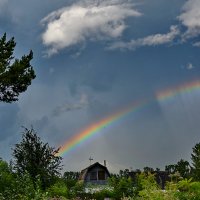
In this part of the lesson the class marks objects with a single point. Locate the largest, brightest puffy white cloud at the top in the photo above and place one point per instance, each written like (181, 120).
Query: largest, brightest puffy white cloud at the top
(103, 19)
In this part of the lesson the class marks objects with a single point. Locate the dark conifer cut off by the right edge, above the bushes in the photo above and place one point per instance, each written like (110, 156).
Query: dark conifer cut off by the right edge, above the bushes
(195, 157)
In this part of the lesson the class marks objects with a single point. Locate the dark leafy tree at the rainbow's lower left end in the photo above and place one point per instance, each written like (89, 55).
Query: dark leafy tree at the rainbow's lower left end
(36, 158)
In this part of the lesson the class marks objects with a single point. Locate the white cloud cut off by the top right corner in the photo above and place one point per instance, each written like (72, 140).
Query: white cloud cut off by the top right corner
(190, 18)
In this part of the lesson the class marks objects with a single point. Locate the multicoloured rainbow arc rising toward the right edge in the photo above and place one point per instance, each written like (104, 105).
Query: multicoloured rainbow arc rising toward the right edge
(96, 127)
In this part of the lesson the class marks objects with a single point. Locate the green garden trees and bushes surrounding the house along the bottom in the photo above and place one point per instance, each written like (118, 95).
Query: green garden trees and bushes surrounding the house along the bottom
(34, 173)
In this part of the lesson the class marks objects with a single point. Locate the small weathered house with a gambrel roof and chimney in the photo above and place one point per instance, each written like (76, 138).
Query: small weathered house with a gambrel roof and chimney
(95, 174)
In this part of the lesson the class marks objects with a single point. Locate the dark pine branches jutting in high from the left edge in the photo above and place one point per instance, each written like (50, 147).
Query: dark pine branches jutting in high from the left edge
(15, 75)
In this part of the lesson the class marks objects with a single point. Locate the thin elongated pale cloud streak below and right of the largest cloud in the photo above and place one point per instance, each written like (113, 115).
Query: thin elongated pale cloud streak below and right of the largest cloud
(152, 40)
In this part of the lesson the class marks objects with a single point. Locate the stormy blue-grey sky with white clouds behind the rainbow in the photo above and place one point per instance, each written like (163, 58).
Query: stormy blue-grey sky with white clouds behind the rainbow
(94, 58)
